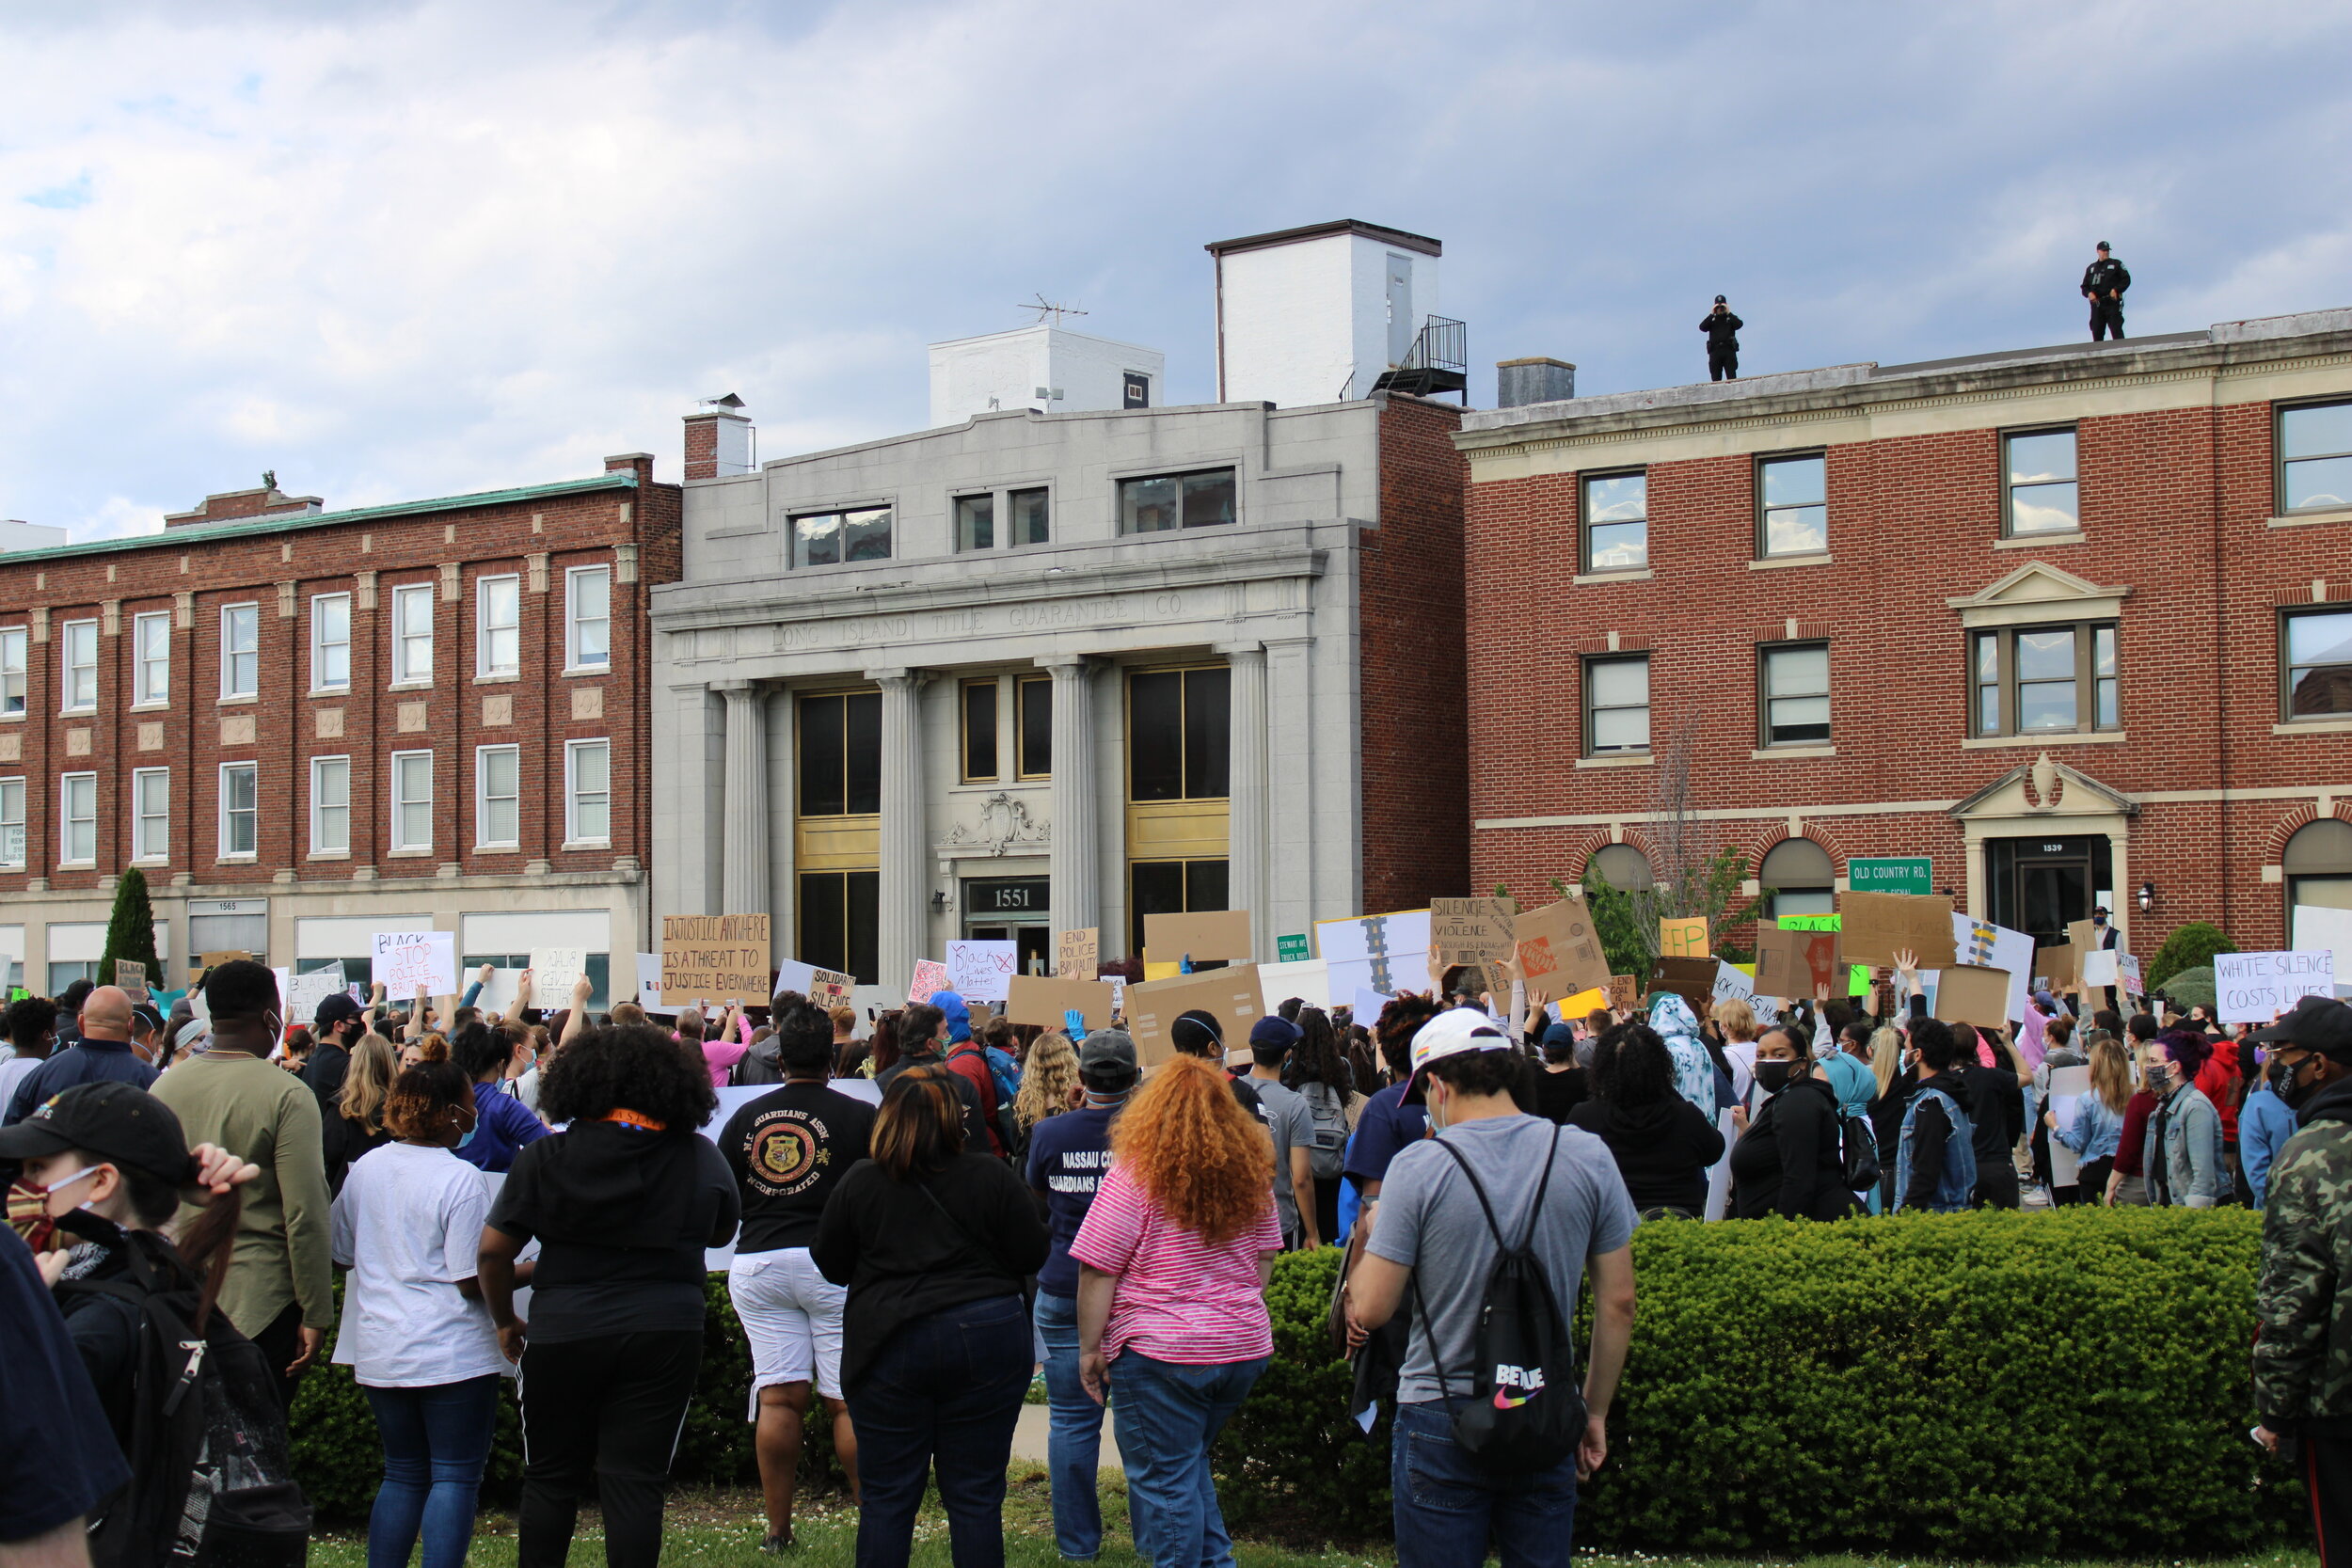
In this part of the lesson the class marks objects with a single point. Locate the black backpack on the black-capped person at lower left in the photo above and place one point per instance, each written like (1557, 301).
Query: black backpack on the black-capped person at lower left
(213, 1480)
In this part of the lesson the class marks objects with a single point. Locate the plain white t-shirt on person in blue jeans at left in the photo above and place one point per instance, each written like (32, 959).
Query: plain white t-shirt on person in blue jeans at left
(408, 1226)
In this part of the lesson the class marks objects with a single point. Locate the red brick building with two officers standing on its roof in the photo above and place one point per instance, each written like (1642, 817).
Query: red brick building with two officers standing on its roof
(2071, 622)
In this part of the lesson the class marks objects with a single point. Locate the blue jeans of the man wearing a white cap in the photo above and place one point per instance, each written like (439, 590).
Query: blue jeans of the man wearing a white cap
(1448, 1503)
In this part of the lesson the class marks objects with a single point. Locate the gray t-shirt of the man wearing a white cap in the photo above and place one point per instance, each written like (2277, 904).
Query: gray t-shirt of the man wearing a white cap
(1431, 1224)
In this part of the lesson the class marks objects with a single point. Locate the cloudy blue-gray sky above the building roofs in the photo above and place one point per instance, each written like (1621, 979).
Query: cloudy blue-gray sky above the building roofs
(415, 250)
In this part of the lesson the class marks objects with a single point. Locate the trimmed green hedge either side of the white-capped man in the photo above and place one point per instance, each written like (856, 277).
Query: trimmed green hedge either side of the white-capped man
(1979, 1386)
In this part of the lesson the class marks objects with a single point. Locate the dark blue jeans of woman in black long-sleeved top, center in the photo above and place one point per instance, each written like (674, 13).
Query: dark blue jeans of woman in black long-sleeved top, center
(944, 1395)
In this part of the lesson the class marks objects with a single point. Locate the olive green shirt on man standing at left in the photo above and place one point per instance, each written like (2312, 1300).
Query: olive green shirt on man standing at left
(267, 1115)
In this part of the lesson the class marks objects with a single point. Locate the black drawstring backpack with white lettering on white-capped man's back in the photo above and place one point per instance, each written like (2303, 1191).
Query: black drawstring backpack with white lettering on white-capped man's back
(1528, 1409)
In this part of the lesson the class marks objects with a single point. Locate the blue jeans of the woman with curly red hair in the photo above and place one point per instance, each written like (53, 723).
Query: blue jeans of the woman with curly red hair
(1168, 1416)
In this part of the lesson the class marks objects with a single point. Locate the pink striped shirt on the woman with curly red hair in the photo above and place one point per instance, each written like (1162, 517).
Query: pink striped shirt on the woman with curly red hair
(1180, 1299)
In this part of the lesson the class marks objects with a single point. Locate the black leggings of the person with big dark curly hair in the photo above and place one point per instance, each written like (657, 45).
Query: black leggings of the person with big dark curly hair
(608, 1407)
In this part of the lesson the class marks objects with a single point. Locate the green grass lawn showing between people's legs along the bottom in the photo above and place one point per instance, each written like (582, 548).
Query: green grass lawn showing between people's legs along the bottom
(721, 1529)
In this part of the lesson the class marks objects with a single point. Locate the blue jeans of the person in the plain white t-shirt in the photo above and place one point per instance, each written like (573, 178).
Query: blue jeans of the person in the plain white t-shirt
(436, 1442)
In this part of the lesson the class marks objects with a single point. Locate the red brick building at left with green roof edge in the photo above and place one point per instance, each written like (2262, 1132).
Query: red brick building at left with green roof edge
(307, 728)
